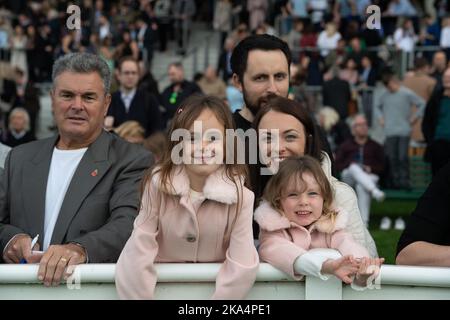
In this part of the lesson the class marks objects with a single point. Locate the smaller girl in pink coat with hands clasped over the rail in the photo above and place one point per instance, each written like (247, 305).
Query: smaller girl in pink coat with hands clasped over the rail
(297, 215)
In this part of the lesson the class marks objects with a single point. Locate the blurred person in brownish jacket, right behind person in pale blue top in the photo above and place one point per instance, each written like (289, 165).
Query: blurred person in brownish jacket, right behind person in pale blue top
(423, 85)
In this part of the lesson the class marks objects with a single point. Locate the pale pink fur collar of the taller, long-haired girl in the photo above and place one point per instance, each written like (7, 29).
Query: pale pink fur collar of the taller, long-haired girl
(218, 186)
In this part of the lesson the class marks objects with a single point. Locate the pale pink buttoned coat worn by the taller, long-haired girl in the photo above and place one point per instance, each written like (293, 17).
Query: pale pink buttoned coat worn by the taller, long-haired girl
(168, 229)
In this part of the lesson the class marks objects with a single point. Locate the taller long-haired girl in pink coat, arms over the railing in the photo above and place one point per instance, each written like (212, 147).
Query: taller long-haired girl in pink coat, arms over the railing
(194, 208)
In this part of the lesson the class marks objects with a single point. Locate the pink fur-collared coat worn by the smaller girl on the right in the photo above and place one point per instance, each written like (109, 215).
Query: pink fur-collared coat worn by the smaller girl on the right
(282, 242)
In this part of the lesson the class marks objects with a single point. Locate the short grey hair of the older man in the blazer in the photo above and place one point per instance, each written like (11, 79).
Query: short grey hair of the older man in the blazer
(82, 62)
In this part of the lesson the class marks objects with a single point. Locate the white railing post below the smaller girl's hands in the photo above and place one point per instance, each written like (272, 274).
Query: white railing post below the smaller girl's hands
(318, 289)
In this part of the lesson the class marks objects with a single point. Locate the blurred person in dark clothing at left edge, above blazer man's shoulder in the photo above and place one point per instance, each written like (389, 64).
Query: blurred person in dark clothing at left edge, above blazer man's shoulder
(18, 128)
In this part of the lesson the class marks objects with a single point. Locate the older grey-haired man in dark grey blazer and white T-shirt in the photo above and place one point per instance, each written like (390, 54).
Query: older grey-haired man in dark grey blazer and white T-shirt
(78, 190)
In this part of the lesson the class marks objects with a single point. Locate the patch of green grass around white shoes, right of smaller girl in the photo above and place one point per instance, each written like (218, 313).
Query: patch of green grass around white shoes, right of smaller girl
(387, 240)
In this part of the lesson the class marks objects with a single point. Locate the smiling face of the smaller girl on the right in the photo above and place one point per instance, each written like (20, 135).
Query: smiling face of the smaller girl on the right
(302, 201)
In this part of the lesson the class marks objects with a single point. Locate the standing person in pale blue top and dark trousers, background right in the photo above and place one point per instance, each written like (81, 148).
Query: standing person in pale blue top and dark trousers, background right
(394, 113)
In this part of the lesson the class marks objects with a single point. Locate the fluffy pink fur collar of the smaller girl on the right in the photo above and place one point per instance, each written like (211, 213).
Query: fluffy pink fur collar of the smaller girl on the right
(270, 219)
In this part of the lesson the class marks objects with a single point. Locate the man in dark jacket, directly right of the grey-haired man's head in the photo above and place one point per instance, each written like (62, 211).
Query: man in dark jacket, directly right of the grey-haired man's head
(131, 103)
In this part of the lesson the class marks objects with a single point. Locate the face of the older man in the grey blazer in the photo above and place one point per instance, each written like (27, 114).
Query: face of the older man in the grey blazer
(79, 105)
